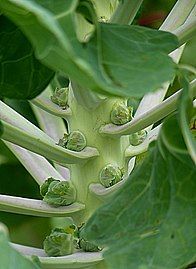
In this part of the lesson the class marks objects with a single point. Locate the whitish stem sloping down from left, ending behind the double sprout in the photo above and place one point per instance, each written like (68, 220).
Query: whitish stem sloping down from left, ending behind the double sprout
(39, 168)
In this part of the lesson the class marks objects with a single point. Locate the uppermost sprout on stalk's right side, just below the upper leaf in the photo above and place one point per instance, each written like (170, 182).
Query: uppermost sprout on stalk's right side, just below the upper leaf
(121, 114)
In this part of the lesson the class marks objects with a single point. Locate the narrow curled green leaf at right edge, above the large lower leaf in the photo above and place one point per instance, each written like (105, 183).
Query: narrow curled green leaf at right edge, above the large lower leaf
(188, 120)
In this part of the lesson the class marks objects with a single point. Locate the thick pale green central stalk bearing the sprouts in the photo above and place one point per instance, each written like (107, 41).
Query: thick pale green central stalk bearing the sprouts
(111, 150)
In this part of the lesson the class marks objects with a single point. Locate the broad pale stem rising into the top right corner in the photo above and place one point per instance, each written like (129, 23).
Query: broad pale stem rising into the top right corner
(178, 15)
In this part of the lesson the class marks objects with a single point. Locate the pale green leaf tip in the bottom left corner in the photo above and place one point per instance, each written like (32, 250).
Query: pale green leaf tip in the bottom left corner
(10, 258)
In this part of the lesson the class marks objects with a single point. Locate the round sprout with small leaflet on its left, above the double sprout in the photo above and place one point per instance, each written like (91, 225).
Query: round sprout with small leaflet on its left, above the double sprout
(75, 141)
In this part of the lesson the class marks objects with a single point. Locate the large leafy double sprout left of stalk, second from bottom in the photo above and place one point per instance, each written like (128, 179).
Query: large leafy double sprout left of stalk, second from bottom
(58, 193)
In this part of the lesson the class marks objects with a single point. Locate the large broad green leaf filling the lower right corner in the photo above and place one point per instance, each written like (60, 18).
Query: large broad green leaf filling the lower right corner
(150, 223)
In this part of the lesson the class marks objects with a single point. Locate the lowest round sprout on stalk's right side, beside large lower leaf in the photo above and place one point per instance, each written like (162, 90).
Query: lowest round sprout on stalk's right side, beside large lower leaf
(110, 175)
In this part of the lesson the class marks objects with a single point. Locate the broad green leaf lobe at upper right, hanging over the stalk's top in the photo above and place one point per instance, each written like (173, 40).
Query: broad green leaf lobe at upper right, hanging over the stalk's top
(132, 57)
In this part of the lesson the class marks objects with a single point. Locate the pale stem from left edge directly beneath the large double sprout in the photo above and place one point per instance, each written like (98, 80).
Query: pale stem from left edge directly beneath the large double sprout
(26, 206)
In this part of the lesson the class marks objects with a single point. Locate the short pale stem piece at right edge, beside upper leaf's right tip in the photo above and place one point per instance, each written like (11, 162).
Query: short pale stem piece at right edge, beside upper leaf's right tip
(186, 31)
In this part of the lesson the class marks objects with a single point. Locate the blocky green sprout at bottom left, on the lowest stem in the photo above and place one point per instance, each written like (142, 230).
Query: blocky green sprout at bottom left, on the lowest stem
(59, 243)
